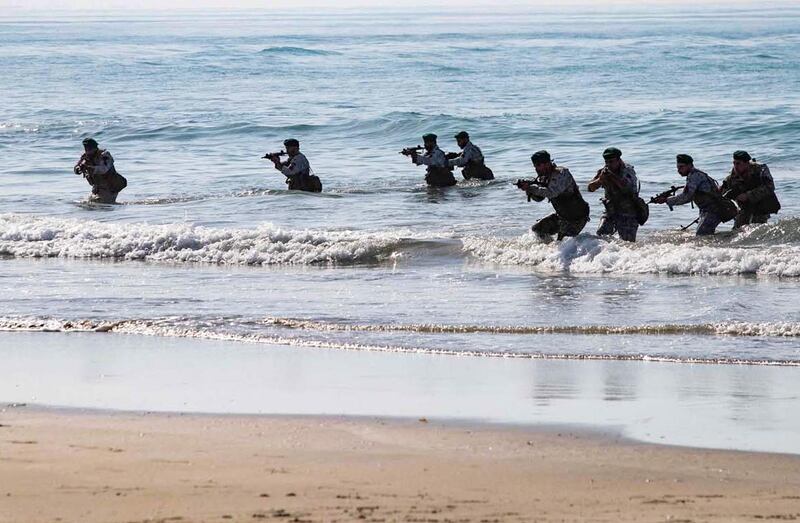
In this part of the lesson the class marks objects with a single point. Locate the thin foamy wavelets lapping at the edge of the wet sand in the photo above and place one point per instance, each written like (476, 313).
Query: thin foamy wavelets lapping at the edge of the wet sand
(230, 330)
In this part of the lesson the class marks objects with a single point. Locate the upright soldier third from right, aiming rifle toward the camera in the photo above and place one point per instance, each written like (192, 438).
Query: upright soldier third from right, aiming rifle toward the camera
(621, 186)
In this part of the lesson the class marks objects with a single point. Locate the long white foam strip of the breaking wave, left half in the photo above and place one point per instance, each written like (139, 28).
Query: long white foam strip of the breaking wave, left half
(26, 236)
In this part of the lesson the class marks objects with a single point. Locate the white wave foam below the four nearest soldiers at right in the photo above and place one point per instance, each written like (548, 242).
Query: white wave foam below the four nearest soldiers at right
(589, 254)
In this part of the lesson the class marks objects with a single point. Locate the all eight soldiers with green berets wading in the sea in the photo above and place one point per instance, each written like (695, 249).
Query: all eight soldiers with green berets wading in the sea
(747, 195)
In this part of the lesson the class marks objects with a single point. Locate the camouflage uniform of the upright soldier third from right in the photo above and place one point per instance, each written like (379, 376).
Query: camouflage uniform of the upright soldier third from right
(620, 215)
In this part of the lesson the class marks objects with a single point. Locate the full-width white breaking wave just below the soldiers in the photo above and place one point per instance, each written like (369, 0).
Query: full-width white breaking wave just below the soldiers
(769, 250)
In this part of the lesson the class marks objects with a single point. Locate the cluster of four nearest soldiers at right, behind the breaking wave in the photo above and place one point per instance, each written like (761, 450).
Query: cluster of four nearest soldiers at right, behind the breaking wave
(747, 195)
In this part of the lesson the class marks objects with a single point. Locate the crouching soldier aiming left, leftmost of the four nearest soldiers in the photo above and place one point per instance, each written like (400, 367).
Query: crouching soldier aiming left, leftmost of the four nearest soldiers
(556, 184)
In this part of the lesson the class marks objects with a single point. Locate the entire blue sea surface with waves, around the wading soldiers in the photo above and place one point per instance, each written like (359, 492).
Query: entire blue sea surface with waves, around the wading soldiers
(207, 243)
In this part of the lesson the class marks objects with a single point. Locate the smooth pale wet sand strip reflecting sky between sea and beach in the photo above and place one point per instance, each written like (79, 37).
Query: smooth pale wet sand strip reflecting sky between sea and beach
(742, 407)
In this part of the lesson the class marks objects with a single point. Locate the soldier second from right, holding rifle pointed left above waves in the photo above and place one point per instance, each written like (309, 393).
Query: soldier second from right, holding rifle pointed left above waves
(702, 190)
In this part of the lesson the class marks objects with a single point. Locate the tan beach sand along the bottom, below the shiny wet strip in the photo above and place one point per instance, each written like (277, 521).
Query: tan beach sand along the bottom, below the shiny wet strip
(92, 466)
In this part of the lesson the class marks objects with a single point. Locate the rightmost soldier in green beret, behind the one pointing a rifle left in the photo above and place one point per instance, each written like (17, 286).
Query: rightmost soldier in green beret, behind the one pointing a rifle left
(750, 184)
